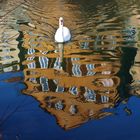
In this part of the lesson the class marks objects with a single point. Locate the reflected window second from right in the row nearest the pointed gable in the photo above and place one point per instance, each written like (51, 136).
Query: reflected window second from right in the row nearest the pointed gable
(90, 95)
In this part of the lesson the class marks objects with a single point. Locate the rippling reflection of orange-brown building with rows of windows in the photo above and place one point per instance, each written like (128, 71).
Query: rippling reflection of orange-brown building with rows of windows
(74, 87)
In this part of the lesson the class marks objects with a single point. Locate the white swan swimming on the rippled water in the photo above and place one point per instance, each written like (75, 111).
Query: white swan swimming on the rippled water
(63, 33)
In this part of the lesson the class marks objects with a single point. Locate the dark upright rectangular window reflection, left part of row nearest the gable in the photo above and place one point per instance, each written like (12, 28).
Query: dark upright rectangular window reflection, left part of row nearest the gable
(44, 84)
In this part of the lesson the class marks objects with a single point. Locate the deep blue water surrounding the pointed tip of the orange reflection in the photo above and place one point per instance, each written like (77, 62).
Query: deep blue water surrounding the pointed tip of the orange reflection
(23, 119)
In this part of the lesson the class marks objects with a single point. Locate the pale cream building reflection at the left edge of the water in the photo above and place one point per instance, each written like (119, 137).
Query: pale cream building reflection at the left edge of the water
(9, 50)
